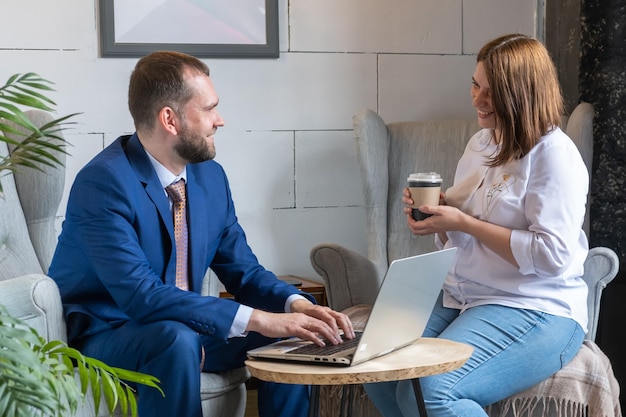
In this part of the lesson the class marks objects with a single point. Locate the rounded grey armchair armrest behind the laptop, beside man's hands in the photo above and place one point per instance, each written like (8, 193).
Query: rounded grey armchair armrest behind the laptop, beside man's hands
(350, 277)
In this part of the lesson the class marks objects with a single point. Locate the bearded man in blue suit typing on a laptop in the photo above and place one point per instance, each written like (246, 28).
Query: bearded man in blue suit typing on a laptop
(115, 263)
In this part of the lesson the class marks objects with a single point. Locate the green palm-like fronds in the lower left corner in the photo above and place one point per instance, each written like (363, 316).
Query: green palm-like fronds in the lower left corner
(39, 378)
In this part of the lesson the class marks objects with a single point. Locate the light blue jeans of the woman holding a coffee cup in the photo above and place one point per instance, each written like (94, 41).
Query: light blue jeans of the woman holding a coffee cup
(514, 349)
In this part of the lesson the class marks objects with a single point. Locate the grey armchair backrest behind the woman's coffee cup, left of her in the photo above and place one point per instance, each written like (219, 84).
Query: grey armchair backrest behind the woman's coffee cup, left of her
(387, 154)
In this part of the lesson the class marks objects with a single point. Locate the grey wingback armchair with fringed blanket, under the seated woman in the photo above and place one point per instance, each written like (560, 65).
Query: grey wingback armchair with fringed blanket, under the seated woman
(387, 153)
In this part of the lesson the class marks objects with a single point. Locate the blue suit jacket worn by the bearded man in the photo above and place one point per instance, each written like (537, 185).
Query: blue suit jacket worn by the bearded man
(115, 259)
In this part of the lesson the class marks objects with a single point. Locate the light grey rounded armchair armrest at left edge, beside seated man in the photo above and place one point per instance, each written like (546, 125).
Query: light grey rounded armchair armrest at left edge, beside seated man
(35, 299)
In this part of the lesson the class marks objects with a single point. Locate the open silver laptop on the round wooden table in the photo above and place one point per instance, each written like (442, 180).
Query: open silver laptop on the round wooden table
(403, 305)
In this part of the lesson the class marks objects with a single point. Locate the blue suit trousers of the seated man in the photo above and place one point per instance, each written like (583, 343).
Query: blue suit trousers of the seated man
(172, 352)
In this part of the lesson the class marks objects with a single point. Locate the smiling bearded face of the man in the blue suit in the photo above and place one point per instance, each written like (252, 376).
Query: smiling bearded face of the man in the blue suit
(200, 120)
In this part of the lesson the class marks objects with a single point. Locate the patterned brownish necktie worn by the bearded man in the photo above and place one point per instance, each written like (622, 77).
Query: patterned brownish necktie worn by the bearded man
(176, 191)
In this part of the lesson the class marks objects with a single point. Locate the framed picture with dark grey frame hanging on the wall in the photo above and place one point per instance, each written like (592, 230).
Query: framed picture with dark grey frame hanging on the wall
(203, 28)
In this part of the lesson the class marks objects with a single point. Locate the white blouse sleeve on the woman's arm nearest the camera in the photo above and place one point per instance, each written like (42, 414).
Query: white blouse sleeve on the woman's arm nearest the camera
(555, 208)
